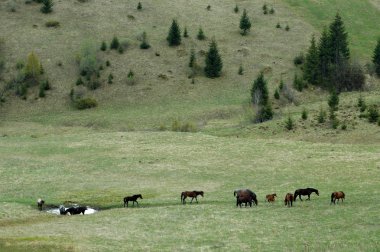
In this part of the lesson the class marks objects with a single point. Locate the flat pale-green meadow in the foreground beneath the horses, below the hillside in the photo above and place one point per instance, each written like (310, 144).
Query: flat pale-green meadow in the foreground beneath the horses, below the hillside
(98, 169)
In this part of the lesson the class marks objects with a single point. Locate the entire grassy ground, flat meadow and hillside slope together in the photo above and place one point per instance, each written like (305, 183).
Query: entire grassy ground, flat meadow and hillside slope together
(127, 144)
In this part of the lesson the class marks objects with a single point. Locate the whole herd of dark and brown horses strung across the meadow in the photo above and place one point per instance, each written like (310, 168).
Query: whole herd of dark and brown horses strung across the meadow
(243, 196)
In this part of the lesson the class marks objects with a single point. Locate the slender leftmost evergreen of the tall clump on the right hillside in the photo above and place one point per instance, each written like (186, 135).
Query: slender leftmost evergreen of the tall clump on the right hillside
(310, 69)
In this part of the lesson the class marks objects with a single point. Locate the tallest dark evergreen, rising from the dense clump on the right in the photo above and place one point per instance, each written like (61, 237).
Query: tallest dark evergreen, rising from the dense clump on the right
(338, 41)
